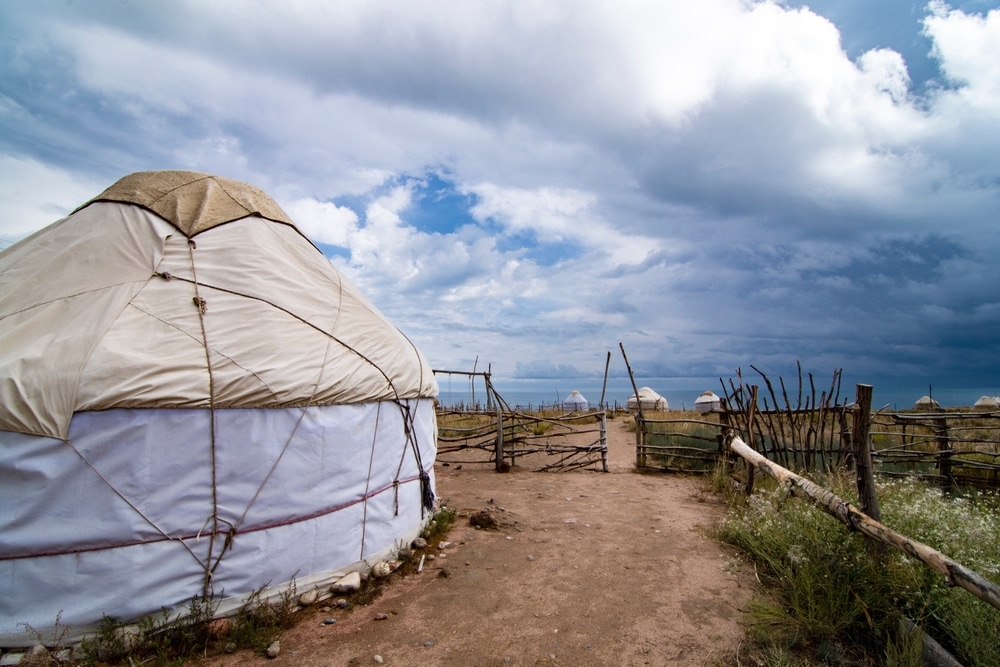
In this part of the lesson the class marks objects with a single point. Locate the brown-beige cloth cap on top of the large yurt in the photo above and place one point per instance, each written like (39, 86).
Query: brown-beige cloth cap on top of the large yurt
(192, 201)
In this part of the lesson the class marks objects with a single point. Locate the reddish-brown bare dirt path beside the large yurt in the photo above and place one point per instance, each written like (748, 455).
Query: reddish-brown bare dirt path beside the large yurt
(588, 568)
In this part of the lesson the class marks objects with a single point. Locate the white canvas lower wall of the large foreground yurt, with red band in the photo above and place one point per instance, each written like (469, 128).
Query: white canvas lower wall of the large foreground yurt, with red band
(117, 520)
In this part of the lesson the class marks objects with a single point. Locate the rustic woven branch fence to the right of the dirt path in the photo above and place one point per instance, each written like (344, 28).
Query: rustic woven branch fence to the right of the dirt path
(951, 449)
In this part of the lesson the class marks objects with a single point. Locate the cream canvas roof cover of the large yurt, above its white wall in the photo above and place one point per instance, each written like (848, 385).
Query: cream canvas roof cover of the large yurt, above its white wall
(112, 307)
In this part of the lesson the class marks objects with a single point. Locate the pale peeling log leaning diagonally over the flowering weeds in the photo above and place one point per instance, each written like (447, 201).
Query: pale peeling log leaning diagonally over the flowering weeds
(954, 573)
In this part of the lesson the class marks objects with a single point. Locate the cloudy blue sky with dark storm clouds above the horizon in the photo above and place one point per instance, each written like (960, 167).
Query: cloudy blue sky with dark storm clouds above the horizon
(526, 185)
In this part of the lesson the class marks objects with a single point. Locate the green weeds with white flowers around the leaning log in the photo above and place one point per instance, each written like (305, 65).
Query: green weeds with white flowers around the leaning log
(827, 600)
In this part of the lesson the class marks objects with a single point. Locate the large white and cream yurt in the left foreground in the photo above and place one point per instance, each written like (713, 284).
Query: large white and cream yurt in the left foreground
(194, 401)
